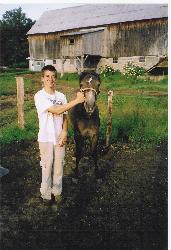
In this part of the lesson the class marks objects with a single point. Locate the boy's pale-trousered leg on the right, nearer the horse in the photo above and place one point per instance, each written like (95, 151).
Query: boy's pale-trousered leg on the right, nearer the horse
(59, 154)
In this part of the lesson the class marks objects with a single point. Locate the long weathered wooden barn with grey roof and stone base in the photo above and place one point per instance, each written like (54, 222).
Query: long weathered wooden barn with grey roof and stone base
(91, 36)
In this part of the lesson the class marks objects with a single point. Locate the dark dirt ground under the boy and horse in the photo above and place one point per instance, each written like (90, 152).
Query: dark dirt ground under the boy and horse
(126, 210)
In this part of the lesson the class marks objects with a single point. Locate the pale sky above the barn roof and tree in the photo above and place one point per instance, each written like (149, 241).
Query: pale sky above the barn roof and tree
(35, 8)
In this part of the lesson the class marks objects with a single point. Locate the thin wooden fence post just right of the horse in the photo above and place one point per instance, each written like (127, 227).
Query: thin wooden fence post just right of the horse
(109, 122)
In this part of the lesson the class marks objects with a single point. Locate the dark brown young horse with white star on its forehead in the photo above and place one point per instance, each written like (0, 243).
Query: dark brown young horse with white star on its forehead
(85, 117)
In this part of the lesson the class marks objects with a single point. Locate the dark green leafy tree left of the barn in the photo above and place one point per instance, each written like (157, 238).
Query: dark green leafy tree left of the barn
(13, 40)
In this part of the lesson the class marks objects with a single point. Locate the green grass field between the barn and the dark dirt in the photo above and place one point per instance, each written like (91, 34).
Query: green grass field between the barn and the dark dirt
(140, 120)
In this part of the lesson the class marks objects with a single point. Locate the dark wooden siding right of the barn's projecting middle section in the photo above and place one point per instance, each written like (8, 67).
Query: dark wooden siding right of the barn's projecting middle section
(137, 38)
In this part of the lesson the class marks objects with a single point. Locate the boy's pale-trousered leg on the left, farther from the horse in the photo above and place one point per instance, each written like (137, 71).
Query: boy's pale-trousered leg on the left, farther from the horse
(46, 154)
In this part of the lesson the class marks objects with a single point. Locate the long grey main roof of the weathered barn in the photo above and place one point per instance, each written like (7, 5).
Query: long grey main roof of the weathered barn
(92, 15)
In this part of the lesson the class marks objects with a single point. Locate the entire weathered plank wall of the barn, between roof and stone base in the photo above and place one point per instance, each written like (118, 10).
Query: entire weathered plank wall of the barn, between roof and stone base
(139, 38)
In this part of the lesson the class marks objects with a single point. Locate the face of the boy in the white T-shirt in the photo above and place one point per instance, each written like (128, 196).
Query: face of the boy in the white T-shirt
(49, 79)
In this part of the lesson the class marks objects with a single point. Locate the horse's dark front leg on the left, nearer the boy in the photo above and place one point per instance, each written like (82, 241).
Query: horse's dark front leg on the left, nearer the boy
(79, 141)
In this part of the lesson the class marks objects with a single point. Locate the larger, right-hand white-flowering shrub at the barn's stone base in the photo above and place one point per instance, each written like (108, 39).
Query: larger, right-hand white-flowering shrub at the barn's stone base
(133, 71)
